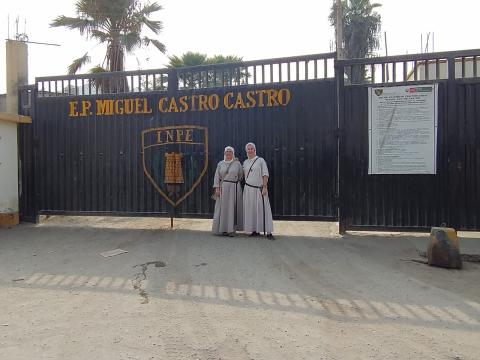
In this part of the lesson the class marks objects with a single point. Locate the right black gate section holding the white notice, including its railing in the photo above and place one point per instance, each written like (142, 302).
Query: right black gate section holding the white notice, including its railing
(452, 196)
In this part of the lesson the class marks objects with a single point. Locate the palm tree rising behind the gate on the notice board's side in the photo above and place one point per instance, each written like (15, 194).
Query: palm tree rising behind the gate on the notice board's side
(361, 29)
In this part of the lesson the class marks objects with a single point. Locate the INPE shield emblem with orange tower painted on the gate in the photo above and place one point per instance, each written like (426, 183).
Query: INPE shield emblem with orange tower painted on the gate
(175, 159)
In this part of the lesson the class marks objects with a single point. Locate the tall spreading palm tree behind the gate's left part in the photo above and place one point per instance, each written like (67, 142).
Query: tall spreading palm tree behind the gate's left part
(116, 23)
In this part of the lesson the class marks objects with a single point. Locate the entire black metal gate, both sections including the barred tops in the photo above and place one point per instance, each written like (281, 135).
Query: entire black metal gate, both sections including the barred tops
(87, 151)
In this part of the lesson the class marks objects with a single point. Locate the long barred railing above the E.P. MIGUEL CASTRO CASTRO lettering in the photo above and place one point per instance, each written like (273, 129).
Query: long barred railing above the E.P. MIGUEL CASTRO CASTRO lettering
(288, 69)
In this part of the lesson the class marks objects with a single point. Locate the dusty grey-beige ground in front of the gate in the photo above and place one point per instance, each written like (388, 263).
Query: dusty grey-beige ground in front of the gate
(187, 294)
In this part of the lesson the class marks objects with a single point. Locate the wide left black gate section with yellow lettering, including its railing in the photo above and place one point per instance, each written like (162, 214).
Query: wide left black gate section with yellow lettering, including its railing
(93, 135)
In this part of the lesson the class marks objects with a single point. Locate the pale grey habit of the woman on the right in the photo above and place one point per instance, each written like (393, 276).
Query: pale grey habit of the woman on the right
(253, 205)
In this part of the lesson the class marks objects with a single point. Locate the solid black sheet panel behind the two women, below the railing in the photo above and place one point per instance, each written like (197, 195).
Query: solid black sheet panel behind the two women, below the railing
(93, 164)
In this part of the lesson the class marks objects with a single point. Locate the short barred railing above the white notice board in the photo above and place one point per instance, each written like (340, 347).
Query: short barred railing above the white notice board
(408, 68)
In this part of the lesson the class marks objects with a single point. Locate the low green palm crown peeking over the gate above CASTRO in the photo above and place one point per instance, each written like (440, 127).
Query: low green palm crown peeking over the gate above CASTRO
(228, 76)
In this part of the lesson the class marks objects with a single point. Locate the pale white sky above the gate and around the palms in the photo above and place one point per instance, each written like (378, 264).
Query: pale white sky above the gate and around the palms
(252, 29)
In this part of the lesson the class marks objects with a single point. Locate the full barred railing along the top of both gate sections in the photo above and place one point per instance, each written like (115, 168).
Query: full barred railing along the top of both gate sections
(377, 70)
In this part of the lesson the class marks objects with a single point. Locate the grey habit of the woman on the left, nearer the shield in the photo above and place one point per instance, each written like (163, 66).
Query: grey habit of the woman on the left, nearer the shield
(224, 215)
